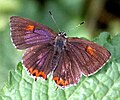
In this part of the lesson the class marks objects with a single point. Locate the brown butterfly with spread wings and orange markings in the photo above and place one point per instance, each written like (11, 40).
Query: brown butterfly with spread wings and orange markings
(48, 52)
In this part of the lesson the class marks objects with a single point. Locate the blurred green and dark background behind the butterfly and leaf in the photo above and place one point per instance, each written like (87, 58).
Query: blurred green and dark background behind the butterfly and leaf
(99, 16)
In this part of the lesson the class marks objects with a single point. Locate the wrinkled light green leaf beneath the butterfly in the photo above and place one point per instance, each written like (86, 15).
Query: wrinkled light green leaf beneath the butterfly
(104, 85)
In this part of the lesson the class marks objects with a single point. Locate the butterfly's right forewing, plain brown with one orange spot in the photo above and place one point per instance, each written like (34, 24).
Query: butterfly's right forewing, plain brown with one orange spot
(90, 56)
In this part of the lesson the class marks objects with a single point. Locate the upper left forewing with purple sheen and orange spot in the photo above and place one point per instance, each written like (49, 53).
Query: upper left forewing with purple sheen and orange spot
(26, 33)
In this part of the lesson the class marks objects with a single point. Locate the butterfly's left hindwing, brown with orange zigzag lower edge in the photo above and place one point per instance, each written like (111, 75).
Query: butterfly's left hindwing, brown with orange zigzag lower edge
(37, 60)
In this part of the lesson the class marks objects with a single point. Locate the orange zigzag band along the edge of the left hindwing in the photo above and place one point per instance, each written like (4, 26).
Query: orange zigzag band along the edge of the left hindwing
(36, 73)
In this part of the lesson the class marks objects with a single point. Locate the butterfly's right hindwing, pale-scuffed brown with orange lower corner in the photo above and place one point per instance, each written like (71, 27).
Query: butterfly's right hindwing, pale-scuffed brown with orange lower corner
(68, 71)
